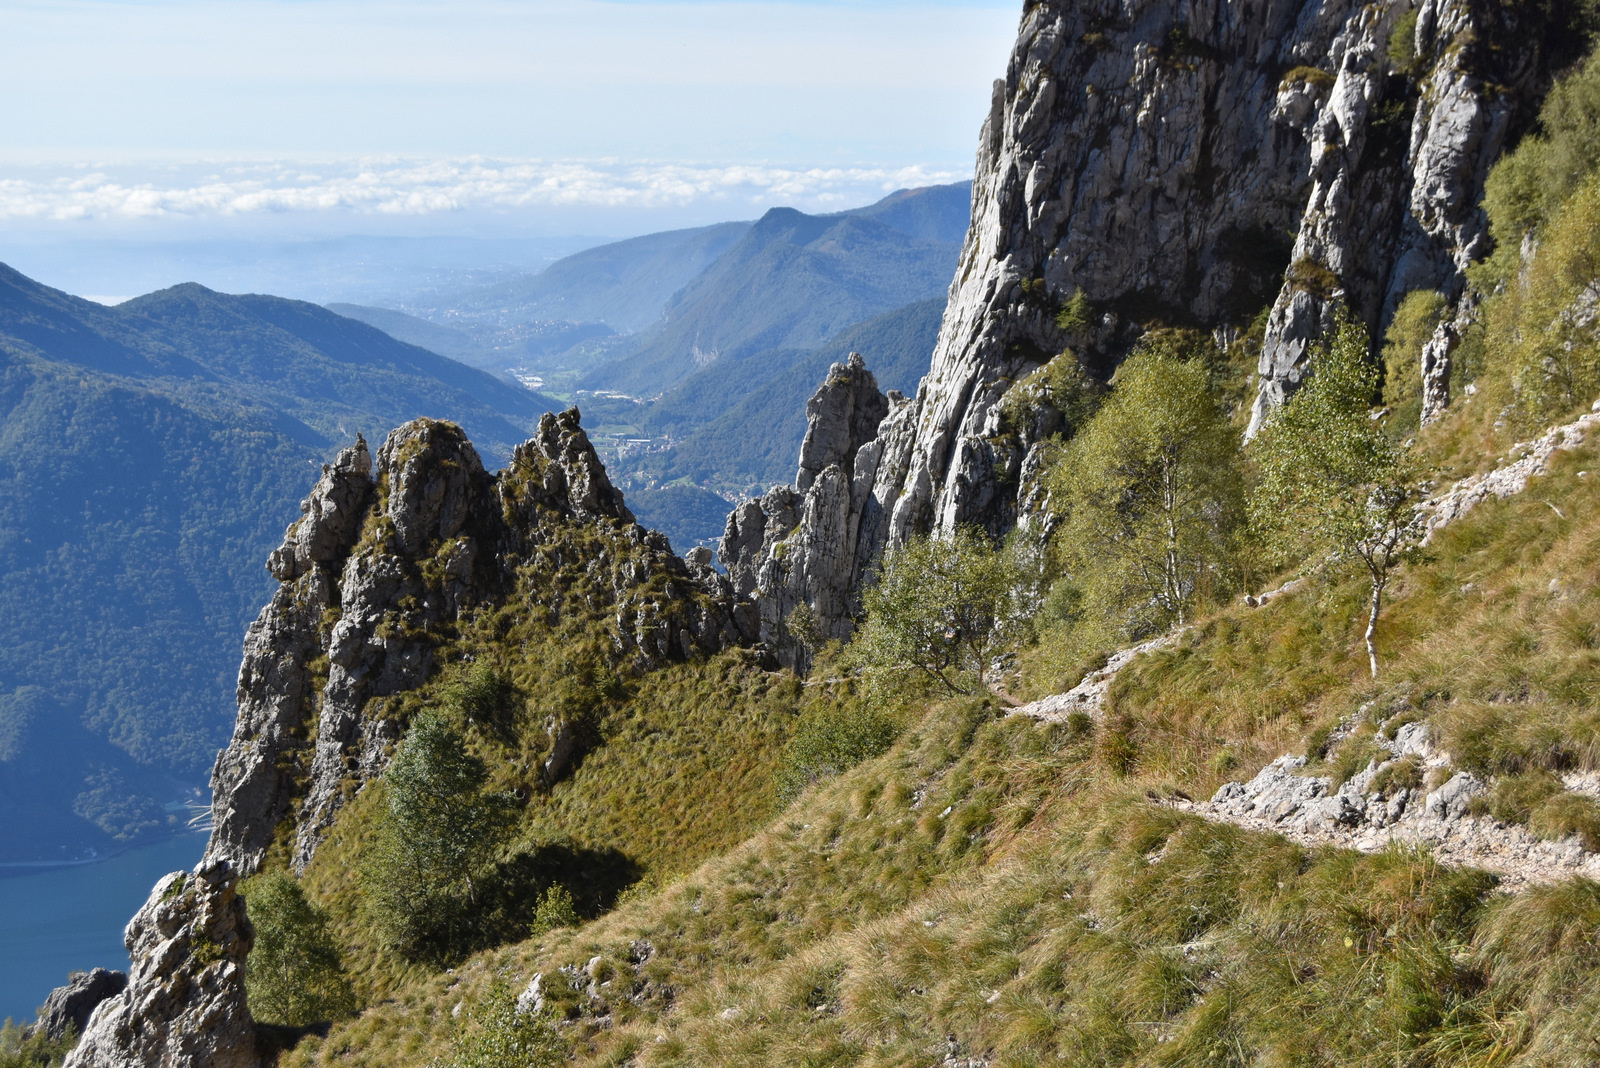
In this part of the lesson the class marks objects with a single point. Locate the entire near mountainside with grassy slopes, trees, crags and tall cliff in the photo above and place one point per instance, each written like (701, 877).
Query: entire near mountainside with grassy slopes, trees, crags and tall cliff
(1199, 669)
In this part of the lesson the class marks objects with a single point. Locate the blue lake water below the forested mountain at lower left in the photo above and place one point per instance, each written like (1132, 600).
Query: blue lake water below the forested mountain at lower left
(62, 920)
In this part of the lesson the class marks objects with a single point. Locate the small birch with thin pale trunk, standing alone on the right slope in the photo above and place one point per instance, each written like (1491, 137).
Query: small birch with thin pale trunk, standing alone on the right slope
(1334, 488)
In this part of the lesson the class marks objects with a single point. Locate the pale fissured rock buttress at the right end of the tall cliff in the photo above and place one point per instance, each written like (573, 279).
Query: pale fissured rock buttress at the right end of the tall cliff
(1398, 173)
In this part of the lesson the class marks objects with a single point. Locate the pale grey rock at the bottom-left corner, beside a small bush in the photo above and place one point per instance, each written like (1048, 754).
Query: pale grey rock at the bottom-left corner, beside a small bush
(185, 1000)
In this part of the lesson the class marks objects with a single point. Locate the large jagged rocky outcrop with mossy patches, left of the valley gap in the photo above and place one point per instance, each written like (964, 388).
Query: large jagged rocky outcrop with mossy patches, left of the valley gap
(374, 578)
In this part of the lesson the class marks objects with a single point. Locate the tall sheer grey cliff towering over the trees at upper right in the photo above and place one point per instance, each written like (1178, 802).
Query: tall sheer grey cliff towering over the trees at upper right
(1150, 162)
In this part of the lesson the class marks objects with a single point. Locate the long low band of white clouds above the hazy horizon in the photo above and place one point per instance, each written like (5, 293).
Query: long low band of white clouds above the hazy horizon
(398, 188)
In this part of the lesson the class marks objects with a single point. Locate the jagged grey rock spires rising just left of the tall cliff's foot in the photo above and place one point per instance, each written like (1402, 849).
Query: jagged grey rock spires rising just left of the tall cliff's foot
(798, 546)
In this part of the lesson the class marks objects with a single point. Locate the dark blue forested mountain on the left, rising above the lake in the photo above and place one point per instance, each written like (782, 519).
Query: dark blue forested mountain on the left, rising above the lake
(151, 455)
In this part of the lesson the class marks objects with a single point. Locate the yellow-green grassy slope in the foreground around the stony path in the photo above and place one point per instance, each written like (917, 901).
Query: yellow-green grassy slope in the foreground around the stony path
(993, 888)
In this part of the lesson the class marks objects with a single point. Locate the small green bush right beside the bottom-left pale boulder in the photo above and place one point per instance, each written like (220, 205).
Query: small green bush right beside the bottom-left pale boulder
(297, 974)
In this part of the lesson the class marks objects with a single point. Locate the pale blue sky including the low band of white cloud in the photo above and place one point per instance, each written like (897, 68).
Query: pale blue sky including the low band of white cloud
(428, 116)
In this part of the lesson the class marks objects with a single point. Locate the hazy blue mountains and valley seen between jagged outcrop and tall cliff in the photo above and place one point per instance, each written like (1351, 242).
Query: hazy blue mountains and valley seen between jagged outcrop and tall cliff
(732, 330)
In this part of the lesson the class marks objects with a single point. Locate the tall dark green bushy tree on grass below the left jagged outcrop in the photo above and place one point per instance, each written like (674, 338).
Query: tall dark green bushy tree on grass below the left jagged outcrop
(436, 842)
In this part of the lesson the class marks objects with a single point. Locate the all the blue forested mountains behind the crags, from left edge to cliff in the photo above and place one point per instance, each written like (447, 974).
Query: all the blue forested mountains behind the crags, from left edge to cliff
(153, 453)
